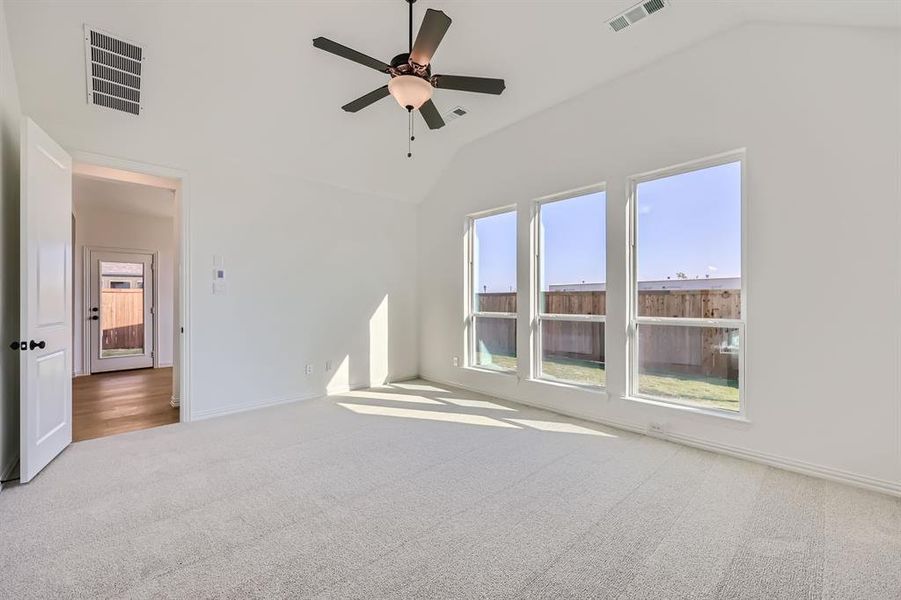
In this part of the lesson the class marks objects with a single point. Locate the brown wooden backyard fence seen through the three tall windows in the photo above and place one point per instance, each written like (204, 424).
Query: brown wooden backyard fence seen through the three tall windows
(696, 351)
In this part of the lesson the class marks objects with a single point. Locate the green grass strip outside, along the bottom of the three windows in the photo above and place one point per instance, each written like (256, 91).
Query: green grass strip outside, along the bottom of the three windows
(706, 392)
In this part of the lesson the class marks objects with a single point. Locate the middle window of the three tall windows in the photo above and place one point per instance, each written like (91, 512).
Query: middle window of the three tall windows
(572, 274)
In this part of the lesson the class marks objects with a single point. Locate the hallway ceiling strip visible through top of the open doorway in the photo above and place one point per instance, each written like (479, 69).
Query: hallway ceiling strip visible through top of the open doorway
(104, 195)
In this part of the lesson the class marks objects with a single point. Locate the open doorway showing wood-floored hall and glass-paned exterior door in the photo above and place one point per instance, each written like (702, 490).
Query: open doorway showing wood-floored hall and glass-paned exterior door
(124, 303)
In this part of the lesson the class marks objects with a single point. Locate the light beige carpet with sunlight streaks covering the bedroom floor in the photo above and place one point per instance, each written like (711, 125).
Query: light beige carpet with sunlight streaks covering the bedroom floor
(422, 492)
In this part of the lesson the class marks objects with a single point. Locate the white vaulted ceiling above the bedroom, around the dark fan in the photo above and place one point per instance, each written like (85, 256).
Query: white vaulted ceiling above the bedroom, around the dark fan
(241, 81)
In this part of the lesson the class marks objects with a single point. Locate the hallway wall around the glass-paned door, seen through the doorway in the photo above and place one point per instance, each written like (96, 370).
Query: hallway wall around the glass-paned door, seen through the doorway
(115, 230)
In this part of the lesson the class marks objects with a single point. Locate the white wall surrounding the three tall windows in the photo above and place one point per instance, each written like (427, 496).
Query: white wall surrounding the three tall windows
(818, 110)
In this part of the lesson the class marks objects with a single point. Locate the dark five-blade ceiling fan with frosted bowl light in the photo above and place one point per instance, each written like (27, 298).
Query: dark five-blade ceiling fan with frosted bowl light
(412, 81)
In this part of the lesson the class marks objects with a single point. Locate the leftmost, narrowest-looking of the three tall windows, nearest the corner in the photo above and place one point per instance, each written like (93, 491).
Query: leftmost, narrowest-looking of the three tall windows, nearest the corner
(492, 297)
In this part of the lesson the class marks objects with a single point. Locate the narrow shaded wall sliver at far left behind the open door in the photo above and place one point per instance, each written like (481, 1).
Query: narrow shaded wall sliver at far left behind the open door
(10, 115)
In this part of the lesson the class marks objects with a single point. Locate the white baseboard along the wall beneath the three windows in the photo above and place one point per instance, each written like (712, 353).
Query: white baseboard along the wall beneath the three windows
(788, 464)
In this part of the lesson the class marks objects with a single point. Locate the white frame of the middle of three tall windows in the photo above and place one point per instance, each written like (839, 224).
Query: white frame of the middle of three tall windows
(536, 287)
